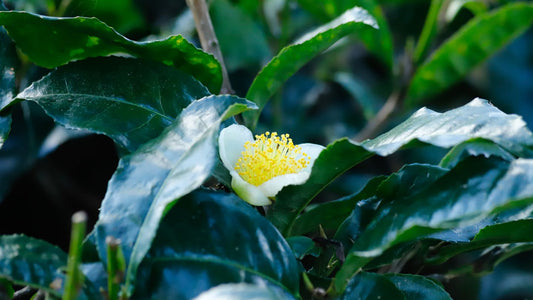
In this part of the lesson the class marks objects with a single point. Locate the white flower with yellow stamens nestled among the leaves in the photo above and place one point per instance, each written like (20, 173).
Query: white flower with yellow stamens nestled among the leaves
(260, 168)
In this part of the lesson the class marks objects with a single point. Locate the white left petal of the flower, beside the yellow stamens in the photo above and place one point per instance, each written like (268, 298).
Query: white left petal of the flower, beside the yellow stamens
(231, 144)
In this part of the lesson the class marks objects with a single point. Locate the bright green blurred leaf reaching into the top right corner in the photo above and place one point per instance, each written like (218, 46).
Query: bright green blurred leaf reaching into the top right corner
(483, 36)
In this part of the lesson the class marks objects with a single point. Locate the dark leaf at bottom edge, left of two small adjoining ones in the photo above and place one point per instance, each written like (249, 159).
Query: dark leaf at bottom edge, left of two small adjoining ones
(367, 286)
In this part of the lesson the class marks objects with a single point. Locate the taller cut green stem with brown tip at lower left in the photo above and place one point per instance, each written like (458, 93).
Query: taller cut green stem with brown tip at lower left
(74, 279)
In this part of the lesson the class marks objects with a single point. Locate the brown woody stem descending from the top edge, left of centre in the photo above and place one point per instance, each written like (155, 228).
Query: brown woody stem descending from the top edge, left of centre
(208, 38)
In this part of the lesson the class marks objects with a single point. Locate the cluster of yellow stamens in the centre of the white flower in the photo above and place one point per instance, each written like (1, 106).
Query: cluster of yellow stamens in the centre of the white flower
(270, 156)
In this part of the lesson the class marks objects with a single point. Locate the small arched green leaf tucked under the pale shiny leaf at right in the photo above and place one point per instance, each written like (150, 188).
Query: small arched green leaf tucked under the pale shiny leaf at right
(474, 147)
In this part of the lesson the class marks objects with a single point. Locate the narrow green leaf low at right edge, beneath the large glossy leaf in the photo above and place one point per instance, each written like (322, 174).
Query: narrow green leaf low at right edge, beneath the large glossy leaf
(518, 231)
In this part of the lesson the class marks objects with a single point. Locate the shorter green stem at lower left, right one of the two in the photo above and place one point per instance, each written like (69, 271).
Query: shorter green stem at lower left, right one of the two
(115, 267)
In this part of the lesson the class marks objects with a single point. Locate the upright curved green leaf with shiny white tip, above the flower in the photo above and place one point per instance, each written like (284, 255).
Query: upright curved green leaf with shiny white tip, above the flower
(293, 57)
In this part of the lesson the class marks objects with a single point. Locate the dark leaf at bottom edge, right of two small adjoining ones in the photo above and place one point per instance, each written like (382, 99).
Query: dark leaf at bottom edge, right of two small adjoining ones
(416, 287)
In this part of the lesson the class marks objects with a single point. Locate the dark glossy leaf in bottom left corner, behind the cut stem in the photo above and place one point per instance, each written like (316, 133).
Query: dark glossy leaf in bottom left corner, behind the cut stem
(28, 261)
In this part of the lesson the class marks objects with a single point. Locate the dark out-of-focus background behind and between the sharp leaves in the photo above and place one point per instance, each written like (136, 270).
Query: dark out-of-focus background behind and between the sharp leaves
(49, 172)
